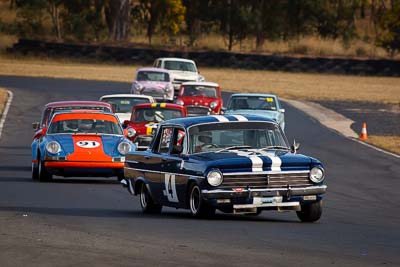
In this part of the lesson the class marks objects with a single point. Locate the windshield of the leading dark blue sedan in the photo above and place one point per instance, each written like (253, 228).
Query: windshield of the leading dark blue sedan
(219, 137)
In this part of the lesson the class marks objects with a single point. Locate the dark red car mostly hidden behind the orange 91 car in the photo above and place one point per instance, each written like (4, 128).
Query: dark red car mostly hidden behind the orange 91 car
(53, 107)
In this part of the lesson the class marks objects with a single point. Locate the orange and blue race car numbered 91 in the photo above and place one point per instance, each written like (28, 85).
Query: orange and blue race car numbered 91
(80, 143)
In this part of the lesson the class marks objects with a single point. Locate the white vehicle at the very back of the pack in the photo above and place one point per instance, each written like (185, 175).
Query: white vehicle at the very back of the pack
(181, 69)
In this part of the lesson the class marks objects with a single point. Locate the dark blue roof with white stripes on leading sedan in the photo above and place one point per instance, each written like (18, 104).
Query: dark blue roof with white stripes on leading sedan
(190, 121)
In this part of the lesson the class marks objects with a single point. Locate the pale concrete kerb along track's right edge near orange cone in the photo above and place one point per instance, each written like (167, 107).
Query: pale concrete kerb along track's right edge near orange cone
(332, 120)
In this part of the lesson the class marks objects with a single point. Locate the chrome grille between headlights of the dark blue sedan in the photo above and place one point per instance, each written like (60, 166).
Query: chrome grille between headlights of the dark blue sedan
(276, 180)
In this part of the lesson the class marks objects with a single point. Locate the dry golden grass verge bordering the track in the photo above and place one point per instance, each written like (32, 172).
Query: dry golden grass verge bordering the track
(299, 86)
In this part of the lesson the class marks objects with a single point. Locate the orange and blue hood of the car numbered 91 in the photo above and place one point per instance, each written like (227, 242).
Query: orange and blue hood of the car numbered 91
(106, 144)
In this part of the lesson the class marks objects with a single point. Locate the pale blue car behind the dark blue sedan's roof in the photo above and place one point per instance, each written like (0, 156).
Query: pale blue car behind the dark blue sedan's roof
(267, 105)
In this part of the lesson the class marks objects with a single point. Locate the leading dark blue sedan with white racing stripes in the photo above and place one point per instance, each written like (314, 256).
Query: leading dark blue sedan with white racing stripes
(233, 163)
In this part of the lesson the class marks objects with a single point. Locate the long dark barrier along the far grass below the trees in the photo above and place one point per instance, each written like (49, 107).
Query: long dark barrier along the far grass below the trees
(146, 56)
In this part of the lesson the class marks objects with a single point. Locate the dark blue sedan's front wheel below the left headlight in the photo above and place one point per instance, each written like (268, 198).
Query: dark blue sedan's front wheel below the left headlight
(198, 207)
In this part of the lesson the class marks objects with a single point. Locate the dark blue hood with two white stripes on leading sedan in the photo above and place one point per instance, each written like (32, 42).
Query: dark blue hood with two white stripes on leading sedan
(255, 161)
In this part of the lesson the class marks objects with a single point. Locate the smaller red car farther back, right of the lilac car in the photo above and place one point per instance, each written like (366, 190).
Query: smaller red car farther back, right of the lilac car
(200, 98)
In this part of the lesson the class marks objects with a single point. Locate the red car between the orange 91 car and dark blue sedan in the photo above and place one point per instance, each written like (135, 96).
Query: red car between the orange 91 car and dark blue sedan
(145, 119)
